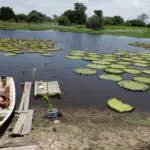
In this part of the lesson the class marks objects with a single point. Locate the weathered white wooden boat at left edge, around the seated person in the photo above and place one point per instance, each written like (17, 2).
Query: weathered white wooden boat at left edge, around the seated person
(5, 113)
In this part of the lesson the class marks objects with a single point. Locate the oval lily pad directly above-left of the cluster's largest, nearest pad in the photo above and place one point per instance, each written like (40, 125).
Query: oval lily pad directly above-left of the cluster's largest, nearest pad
(111, 77)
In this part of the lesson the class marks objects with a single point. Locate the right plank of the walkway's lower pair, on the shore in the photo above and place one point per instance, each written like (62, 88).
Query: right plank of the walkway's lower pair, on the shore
(28, 123)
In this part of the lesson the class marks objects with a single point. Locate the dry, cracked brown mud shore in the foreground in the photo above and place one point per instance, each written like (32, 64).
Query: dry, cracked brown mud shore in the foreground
(87, 129)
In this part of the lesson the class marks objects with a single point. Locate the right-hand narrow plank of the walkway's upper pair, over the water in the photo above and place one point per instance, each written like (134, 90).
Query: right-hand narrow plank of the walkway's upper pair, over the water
(26, 101)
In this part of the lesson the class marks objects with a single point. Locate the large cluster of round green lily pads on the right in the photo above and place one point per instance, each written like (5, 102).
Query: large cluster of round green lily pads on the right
(114, 65)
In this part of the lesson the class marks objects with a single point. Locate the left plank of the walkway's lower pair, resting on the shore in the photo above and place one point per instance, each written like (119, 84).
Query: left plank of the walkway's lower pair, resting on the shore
(18, 126)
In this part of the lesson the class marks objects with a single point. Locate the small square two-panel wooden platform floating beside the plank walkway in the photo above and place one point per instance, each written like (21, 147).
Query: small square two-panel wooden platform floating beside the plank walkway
(50, 88)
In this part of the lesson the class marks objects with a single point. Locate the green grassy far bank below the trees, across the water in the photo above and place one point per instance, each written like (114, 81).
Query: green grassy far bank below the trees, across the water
(139, 32)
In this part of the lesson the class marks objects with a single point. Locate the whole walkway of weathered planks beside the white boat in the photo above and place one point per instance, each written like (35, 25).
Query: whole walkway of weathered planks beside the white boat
(24, 122)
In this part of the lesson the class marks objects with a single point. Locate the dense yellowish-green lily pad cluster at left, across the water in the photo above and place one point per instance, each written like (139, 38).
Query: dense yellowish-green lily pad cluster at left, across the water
(12, 47)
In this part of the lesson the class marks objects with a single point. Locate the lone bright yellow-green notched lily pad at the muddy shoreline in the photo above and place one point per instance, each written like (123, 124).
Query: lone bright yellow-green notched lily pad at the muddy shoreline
(119, 106)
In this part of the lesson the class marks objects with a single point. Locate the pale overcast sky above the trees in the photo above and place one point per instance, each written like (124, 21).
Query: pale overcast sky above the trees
(128, 9)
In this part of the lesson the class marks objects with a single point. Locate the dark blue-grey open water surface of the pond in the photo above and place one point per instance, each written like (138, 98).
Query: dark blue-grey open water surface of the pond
(81, 91)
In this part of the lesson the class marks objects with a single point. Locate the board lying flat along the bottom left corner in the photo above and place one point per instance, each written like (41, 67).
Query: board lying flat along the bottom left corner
(30, 147)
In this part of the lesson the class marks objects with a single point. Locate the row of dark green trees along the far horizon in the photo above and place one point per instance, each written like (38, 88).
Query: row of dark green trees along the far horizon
(76, 16)
